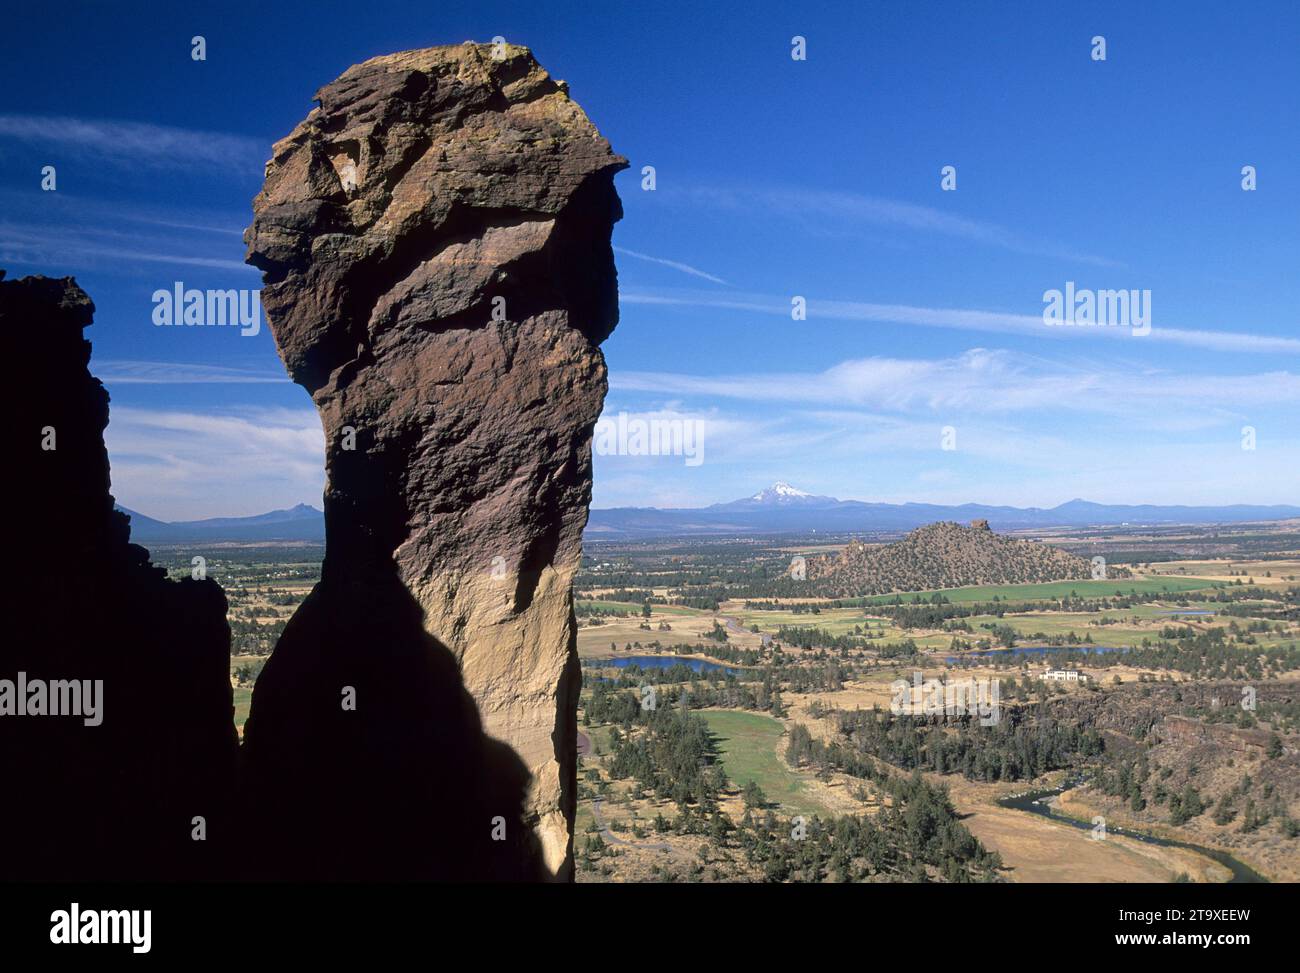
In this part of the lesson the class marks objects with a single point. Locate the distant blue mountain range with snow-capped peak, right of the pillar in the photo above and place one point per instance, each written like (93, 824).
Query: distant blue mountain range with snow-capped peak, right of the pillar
(783, 509)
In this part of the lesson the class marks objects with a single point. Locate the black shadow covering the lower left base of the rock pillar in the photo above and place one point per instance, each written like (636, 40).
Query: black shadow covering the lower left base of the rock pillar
(365, 758)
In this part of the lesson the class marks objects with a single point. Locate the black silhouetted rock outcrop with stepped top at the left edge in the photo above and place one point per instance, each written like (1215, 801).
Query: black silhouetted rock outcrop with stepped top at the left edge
(116, 801)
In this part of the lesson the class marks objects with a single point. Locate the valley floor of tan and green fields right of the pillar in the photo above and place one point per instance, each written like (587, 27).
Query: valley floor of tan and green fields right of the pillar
(1253, 646)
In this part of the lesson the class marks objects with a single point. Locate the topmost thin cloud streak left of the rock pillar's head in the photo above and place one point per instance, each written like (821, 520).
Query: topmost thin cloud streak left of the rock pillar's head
(138, 144)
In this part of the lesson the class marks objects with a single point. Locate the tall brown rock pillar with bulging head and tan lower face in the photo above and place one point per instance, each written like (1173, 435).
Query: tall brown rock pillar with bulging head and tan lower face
(436, 245)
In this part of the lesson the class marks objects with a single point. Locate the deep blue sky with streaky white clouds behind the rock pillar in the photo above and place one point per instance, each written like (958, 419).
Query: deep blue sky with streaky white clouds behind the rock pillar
(774, 179)
